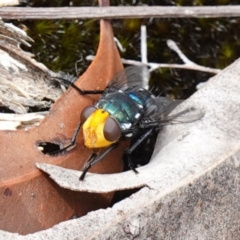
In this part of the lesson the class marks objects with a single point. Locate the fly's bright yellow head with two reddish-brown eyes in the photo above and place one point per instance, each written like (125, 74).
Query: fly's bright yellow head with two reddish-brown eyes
(99, 128)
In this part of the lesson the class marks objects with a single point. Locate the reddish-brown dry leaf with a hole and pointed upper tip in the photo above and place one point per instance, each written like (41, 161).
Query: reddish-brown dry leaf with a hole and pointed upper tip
(30, 201)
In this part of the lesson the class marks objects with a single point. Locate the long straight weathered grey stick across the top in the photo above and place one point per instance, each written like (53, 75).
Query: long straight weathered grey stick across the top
(119, 12)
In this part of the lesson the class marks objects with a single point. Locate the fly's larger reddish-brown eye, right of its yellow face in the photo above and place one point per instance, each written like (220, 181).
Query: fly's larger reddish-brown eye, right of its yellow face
(111, 131)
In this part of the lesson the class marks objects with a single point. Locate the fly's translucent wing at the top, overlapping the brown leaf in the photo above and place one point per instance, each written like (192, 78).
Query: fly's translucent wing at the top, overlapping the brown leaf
(130, 77)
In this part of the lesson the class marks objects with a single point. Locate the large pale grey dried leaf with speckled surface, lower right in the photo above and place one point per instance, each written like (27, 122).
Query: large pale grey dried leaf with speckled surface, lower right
(192, 184)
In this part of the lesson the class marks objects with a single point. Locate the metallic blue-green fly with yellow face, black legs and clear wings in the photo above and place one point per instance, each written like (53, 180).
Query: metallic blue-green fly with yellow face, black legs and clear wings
(124, 110)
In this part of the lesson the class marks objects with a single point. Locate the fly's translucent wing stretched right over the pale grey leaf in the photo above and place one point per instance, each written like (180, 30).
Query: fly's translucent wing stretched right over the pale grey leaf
(163, 115)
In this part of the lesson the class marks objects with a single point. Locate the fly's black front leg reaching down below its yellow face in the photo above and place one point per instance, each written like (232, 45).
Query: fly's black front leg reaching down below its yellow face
(94, 159)
